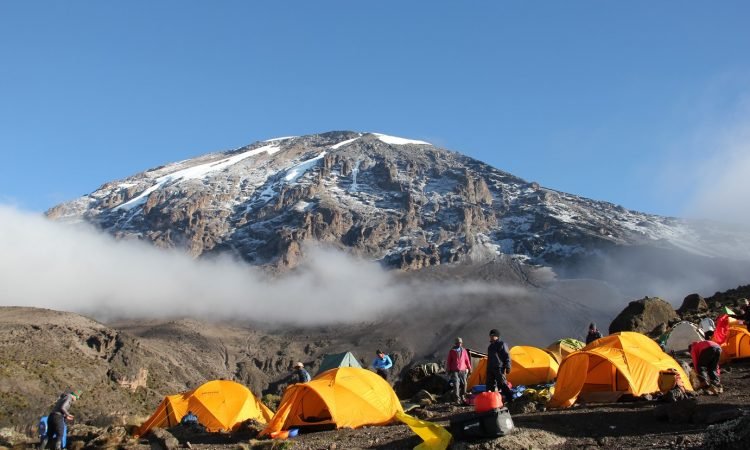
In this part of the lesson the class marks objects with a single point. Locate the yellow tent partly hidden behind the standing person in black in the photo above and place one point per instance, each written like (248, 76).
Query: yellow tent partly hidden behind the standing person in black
(529, 365)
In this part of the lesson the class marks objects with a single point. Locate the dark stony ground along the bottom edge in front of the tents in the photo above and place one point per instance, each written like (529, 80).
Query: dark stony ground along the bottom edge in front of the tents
(707, 421)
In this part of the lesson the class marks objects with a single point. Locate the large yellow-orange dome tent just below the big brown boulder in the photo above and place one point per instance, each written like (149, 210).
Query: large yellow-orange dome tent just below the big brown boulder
(624, 362)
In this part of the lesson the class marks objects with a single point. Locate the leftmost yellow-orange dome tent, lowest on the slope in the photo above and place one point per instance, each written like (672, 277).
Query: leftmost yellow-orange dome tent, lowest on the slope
(219, 405)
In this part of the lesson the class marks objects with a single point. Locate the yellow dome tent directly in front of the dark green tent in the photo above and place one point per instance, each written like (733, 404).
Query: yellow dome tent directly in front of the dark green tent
(343, 397)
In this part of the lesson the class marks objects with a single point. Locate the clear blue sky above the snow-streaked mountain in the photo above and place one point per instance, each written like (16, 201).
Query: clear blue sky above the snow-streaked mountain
(618, 101)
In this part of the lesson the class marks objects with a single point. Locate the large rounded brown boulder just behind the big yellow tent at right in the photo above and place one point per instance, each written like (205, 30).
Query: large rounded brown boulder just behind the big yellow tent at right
(644, 315)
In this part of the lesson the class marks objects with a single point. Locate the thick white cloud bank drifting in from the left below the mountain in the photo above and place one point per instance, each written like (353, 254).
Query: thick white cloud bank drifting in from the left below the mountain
(77, 268)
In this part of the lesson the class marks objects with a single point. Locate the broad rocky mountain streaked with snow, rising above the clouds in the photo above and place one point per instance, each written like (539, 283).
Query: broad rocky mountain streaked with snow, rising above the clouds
(404, 202)
